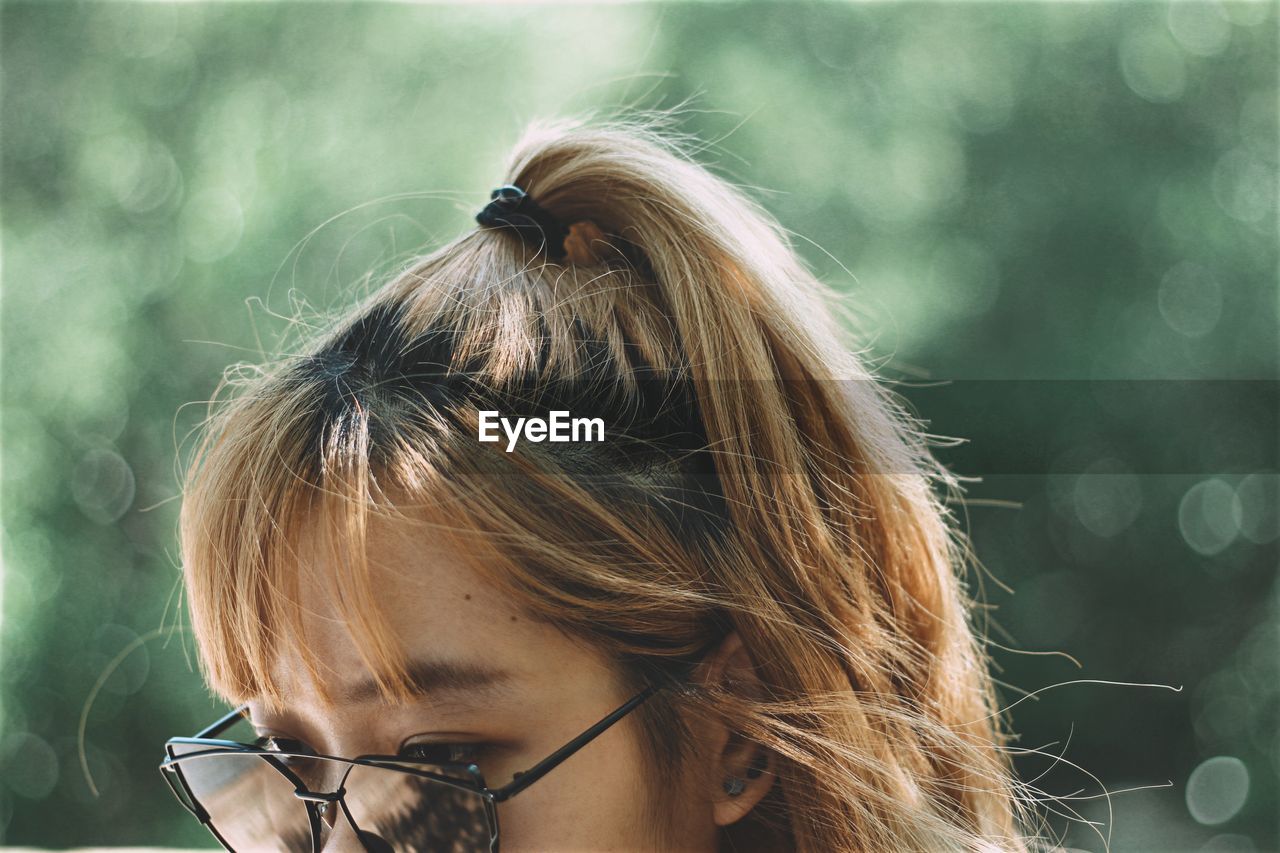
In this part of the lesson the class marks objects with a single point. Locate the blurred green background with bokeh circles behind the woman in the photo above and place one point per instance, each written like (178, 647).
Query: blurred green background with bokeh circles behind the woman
(1067, 209)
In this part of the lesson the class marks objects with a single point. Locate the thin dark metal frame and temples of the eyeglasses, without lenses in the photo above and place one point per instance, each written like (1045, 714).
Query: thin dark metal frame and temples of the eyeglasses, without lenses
(312, 800)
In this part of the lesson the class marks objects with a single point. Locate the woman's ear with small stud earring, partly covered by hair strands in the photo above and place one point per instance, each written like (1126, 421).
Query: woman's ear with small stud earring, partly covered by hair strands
(742, 772)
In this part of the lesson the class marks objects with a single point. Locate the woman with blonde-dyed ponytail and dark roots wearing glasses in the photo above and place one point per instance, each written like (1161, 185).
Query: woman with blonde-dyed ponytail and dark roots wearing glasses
(733, 622)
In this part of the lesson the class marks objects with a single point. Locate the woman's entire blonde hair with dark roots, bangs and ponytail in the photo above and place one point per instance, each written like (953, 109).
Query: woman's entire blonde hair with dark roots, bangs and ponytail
(756, 477)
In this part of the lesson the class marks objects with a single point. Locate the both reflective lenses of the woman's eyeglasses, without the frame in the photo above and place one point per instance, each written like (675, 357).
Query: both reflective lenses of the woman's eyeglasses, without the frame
(253, 805)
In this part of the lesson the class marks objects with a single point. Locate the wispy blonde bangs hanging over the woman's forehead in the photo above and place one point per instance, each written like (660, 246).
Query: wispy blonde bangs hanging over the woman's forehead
(254, 527)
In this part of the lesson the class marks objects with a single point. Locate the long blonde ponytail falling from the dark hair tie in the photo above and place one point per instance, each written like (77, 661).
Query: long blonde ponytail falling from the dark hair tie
(854, 563)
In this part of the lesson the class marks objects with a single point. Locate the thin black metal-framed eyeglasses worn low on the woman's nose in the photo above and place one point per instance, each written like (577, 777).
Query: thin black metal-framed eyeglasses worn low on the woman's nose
(258, 800)
